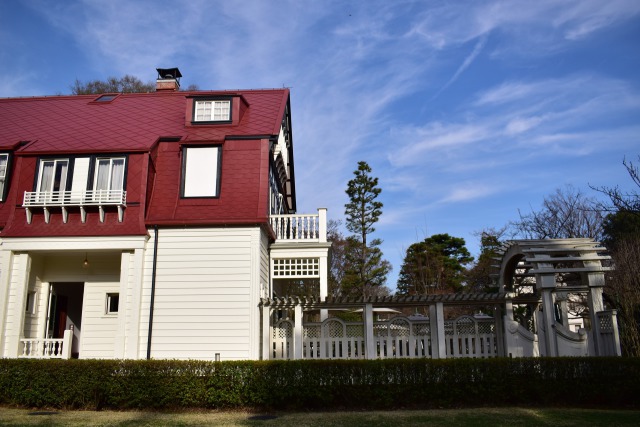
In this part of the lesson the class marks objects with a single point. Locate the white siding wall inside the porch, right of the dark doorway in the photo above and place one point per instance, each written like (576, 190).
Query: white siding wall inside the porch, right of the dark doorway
(98, 328)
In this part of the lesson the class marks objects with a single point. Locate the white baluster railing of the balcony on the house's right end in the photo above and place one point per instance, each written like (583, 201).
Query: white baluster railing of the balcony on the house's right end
(300, 227)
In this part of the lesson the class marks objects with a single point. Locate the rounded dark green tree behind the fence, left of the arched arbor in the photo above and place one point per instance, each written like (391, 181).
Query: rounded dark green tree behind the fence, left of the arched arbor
(435, 265)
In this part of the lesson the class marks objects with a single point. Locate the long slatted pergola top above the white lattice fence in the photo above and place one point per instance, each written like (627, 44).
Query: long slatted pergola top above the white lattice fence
(399, 301)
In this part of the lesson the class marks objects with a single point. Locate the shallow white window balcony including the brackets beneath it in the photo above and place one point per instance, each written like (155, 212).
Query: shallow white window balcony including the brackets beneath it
(81, 199)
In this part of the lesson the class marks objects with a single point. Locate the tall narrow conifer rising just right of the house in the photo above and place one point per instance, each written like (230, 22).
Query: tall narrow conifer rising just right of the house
(366, 271)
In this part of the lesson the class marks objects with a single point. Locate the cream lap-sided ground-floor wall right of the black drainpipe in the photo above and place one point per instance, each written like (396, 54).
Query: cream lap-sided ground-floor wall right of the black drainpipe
(203, 294)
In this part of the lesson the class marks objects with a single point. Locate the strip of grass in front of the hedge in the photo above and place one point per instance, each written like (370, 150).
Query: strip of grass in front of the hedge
(516, 417)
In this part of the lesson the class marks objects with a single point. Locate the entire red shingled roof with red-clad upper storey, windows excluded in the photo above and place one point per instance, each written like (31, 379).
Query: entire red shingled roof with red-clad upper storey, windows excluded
(137, 124)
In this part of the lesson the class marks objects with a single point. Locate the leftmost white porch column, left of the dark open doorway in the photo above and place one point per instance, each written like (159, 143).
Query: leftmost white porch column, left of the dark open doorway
(21, 267)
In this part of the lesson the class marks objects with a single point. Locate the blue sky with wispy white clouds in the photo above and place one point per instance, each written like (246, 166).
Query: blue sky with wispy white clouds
(466, 110)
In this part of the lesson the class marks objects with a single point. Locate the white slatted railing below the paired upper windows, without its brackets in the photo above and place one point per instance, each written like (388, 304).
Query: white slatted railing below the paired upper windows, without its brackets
(74, 198)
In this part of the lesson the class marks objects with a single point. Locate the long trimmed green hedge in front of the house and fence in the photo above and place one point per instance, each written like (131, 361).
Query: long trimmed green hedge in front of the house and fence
(325, 384)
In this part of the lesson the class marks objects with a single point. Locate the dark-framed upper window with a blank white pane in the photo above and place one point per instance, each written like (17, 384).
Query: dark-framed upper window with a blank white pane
(201, 171)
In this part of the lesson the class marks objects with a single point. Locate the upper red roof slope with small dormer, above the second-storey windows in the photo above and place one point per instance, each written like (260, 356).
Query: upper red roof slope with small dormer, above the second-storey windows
(128, 123)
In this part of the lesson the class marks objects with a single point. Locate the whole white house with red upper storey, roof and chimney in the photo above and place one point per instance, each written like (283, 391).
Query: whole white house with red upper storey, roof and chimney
(148, 225)
